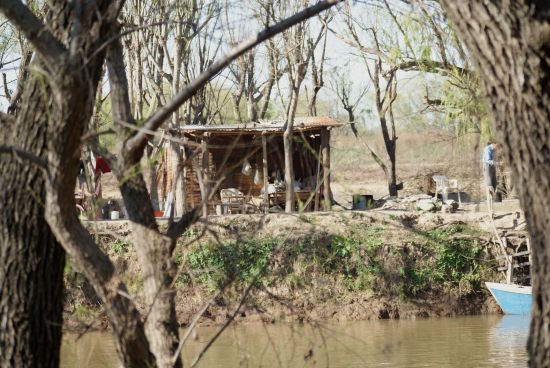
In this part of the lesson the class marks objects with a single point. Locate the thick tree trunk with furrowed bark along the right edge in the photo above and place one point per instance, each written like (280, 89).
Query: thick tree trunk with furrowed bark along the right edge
(510, 41)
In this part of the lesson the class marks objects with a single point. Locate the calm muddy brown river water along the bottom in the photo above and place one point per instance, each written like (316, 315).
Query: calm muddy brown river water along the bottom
(492, 341)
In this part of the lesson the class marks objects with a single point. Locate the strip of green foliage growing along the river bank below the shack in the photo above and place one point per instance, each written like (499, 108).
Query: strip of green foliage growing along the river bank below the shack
(360, 260)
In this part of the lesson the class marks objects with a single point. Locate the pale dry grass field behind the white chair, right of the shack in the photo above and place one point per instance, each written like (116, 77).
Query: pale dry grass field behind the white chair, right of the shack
(418, 155)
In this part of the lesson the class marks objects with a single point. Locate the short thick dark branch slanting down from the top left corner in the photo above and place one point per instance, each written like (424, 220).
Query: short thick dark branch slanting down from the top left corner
(20, 16)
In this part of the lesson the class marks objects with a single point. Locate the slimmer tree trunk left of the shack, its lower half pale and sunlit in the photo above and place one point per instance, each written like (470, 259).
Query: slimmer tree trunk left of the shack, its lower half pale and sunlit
(154, 249)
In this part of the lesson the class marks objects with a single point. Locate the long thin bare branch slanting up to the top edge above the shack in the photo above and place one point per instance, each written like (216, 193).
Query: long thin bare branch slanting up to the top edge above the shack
(137, 143)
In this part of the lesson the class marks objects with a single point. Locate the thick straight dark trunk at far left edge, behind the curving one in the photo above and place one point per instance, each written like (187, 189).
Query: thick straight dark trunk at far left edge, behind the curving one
(31, 260)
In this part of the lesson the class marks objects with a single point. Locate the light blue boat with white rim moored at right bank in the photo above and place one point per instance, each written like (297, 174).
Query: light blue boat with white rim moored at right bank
(513, 299)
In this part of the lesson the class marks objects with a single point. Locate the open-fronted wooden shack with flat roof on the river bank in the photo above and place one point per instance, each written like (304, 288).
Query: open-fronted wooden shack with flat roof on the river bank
(245, 159)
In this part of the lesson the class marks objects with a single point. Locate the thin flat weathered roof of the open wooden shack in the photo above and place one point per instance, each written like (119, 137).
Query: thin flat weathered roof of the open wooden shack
(273, 127)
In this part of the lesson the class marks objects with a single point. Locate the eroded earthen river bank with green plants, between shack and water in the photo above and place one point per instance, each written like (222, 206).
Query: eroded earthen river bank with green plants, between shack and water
(341, 266)
